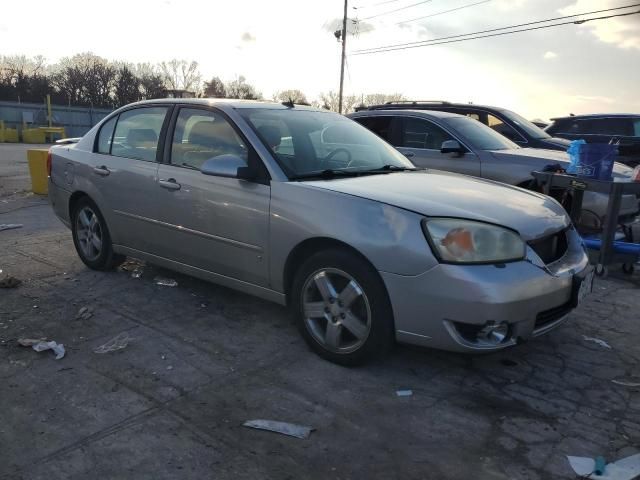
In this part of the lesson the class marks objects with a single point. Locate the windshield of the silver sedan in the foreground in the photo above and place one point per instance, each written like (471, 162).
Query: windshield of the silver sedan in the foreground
(306, 142)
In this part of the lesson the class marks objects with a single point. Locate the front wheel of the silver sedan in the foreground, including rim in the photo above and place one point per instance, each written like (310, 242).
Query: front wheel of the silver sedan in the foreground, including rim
(342, 308)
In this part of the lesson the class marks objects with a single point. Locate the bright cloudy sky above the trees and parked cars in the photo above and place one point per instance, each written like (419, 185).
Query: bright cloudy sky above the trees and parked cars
(282, 44)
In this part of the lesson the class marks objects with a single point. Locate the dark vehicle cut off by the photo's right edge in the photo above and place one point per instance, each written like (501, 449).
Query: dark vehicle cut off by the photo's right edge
(603, 128)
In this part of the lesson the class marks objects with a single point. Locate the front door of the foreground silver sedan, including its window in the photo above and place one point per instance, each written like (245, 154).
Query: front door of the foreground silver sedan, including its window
(214, 223)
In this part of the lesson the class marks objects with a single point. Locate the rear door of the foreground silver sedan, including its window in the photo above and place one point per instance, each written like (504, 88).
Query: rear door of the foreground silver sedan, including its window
(124, 169)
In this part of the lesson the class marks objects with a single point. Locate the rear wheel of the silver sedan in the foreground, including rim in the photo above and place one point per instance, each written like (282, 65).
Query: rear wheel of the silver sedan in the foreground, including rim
(91, 237)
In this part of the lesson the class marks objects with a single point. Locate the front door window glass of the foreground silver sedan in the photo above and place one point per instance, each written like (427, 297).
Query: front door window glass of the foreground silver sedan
(201, 135)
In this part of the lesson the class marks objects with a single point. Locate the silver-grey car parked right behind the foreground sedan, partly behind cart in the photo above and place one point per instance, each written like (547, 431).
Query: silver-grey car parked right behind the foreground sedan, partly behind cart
(447, 141)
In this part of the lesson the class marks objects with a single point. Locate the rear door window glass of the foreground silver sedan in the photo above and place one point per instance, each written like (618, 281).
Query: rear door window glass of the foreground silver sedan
(138, 132)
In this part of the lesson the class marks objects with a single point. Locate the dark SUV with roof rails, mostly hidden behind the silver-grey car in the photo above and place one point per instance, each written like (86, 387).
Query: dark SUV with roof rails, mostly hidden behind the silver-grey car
(516, 128)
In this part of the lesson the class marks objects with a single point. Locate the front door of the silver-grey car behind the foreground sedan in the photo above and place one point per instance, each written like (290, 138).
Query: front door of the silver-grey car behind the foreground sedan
(421, 141)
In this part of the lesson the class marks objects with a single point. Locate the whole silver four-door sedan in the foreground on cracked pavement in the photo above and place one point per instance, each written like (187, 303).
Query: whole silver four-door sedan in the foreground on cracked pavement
(305, 207)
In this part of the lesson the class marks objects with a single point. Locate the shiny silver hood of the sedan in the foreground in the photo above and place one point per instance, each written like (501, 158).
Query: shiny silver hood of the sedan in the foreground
(436, 193)
